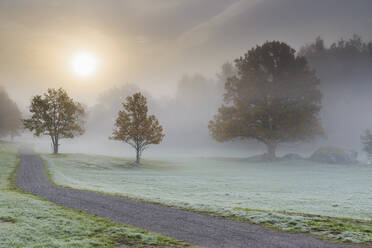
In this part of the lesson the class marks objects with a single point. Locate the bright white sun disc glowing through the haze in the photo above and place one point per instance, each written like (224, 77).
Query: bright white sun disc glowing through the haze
(84, 64)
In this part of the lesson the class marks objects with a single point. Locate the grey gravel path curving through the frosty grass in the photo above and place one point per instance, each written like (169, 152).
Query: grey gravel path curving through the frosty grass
(198, 229)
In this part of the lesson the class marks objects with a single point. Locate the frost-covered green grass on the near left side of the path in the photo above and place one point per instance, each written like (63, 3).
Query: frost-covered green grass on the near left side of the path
(28, 221)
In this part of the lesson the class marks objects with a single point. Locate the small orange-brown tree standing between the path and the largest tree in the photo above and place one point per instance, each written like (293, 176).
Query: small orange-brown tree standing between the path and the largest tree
(135, 127)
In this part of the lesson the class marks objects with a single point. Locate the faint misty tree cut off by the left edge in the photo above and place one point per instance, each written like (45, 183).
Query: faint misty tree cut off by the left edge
(10, 116)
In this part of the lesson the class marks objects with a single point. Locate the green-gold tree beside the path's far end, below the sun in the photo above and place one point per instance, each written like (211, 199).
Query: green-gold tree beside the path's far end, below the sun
(57, 115)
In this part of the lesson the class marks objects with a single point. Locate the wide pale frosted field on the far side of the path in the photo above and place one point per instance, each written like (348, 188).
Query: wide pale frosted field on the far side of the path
(284, 195)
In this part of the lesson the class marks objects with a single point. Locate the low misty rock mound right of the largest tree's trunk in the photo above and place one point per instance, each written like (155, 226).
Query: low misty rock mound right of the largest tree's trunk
(332, 155)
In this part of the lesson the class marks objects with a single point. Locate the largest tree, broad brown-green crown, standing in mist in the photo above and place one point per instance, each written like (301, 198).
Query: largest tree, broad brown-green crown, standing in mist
(274, 98)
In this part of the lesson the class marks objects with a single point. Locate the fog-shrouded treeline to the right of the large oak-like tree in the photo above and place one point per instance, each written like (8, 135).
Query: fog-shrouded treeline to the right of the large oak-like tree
(345, 72)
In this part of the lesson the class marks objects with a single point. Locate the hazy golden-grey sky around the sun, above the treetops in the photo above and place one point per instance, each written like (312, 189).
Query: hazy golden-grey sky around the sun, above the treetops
(152, 43)
